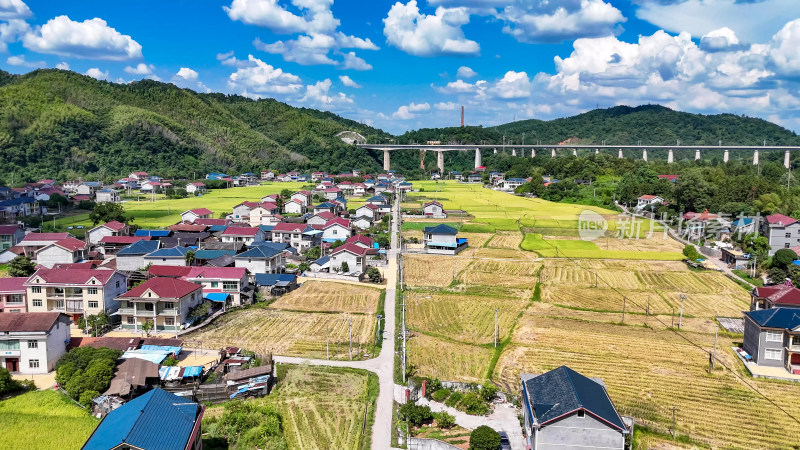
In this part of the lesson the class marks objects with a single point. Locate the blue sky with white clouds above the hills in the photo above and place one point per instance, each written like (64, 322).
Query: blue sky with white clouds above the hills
(411, 64)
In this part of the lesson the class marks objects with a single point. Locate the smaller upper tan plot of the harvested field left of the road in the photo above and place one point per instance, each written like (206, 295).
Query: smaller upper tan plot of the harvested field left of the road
(330, 297)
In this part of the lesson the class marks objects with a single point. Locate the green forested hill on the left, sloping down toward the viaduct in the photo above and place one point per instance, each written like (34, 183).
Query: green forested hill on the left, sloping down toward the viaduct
(60, 124)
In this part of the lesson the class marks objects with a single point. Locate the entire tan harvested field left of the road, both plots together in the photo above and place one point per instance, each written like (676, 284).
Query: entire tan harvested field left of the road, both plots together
(297, 324)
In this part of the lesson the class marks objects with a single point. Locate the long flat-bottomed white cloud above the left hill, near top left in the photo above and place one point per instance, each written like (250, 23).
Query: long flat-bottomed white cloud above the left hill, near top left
(91, 39)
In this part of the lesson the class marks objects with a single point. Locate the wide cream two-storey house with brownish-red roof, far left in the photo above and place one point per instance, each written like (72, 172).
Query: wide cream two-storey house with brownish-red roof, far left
(76, 292)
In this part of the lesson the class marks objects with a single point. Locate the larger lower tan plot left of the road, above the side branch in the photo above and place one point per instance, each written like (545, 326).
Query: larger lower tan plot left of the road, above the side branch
(288, 333)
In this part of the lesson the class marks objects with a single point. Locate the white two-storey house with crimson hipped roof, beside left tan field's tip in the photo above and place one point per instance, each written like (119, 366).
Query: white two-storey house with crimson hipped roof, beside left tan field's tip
(163, 301)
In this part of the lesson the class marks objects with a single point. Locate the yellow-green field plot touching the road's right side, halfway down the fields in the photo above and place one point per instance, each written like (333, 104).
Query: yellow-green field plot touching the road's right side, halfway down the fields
(463, 318)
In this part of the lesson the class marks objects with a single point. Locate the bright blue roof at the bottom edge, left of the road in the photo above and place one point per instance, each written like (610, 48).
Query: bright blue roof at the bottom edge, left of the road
(157, 420)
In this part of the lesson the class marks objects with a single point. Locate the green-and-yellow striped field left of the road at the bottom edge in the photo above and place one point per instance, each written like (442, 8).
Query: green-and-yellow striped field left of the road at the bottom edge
(321, 407)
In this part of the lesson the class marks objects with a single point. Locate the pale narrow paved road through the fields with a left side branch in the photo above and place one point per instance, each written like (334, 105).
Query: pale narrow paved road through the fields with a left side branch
(383, 365)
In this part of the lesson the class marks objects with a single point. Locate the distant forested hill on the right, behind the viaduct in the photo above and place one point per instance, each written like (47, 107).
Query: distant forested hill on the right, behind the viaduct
(648, 124)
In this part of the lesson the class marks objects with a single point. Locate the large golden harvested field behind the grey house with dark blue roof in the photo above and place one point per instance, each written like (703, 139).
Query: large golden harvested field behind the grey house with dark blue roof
(648, 371)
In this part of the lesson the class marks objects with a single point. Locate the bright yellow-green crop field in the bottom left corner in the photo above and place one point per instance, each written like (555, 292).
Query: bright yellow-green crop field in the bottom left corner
(43, 420)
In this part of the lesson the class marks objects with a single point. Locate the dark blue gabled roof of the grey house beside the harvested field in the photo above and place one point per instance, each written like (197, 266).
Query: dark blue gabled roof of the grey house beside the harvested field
(562, 391)
